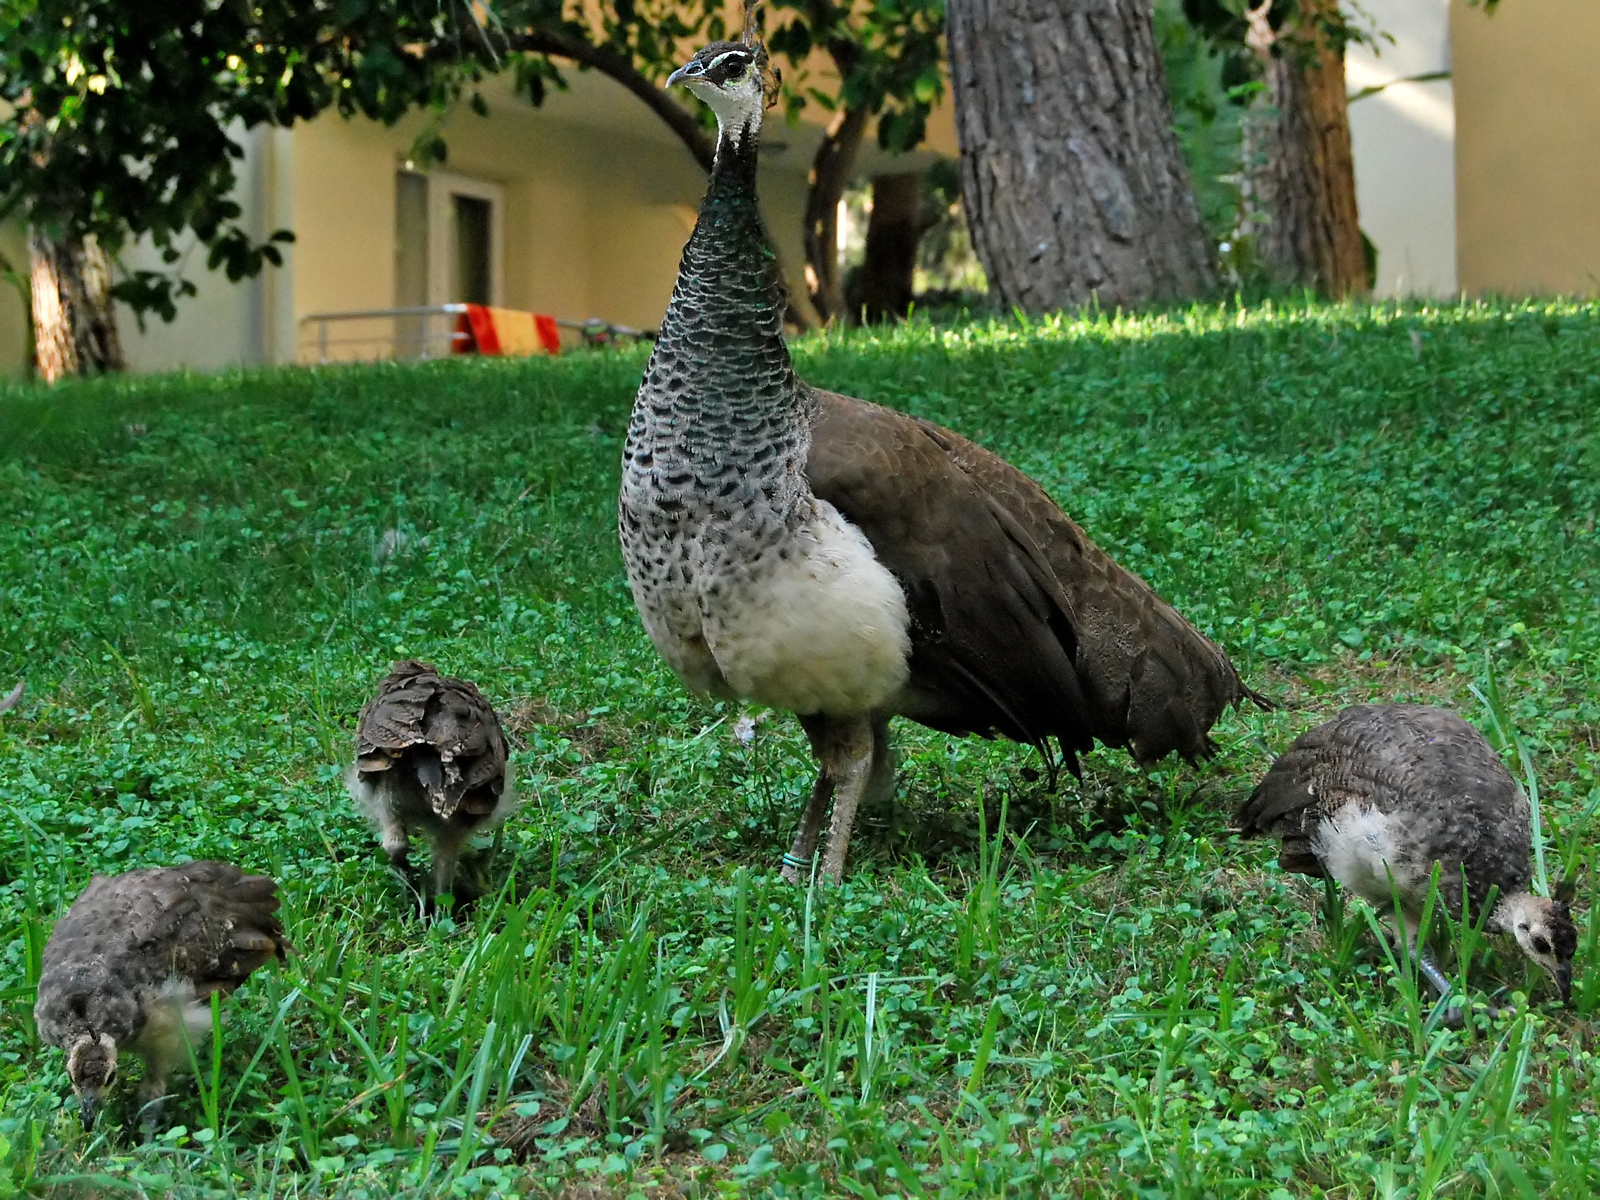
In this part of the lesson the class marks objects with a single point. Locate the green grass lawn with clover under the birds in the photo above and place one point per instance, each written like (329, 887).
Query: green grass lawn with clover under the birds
(1097, 993)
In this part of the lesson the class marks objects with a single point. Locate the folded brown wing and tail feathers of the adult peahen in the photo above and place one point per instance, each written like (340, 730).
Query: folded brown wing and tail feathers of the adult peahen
(1020, 625)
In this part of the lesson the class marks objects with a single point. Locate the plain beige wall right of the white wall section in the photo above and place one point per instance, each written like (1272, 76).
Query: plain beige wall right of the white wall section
(1529, 146)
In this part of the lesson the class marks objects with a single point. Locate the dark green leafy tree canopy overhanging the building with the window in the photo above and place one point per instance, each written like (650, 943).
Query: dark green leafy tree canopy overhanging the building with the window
(126, 116)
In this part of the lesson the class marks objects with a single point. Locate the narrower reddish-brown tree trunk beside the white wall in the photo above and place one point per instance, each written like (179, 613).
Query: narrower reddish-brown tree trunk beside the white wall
(1303, 178)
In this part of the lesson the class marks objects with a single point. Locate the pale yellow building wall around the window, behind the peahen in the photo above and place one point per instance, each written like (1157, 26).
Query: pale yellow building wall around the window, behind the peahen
(598, 199)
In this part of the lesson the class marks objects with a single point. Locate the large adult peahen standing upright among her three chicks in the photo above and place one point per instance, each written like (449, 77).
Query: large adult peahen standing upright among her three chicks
(850, 564)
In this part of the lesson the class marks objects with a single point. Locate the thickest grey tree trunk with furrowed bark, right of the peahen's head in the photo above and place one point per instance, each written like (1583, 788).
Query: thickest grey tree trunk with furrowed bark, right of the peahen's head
(1073, 175)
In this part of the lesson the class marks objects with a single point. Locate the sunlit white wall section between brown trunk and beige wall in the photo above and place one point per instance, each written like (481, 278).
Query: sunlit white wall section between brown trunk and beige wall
(1406, 148)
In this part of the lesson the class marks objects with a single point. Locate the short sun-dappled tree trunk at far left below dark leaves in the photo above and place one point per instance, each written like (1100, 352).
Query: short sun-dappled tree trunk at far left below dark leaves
(74, 322)
